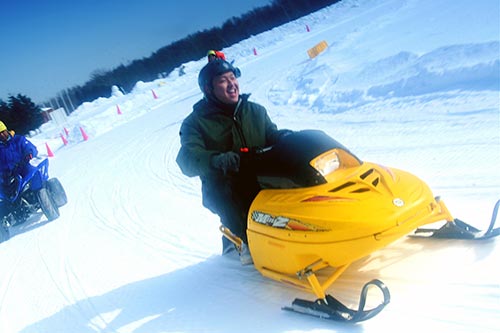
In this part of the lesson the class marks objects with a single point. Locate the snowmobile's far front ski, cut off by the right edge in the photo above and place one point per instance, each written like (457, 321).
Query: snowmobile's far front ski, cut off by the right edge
(458, 229)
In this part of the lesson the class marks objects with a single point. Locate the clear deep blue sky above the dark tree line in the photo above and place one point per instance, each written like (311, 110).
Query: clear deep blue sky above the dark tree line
(50, 45)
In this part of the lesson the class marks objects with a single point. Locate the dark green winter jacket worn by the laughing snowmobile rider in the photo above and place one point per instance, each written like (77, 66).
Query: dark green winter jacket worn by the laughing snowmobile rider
(212, 129)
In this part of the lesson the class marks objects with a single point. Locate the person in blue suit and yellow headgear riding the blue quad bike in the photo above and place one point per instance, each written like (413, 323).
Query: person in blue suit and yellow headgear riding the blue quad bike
(15, 153)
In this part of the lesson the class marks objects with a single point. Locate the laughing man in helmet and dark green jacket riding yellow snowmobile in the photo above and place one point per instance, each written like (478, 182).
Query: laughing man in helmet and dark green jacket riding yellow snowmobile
(222, 125)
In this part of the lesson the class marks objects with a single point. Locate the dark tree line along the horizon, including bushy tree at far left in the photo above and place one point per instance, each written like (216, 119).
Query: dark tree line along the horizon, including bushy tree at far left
(167, 58)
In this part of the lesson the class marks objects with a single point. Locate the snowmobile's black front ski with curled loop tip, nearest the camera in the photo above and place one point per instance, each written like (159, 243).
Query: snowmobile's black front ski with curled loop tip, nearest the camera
(333, 309)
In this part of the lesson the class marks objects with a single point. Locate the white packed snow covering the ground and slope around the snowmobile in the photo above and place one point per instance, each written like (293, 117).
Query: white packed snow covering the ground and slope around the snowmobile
(409, 84)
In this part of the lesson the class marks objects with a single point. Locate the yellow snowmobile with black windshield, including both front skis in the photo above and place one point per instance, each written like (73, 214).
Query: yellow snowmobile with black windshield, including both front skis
(322, 207)
